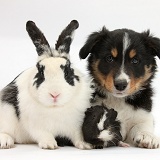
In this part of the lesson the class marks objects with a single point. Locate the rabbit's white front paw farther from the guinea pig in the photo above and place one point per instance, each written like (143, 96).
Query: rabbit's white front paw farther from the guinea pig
(48, 144)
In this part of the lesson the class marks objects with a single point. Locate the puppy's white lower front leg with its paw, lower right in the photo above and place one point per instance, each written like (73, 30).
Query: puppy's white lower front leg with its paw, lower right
(141, 135)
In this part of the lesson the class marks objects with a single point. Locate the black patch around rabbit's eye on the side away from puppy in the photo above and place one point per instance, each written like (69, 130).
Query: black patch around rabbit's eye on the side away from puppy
(40, 75)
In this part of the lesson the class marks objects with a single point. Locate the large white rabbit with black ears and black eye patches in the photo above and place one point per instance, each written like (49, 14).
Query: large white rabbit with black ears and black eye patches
(47, 100)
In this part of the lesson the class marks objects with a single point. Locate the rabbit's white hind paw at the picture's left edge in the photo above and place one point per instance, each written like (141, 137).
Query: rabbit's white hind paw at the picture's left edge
(6, 141)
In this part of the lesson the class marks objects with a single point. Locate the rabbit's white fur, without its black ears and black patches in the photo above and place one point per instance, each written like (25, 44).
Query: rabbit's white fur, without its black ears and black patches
(41, 116)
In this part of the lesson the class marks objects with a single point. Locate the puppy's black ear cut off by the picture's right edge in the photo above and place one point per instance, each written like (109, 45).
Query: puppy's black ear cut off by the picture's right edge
(152, 43)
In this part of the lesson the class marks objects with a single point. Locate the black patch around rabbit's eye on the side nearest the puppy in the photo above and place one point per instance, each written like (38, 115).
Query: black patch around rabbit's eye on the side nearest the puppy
(69, 73)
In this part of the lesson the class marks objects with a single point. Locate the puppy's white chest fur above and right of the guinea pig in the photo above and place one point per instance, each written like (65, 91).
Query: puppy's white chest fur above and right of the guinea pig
(127, 115)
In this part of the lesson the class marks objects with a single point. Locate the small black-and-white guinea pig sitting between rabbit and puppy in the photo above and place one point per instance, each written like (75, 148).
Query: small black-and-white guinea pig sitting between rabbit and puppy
(101, 128)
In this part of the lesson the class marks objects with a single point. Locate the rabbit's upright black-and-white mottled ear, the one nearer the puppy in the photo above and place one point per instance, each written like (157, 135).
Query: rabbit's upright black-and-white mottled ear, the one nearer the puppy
(65, 39)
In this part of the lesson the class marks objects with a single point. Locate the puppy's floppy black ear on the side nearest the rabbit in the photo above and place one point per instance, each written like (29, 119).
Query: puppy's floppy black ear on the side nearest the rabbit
(92, 40)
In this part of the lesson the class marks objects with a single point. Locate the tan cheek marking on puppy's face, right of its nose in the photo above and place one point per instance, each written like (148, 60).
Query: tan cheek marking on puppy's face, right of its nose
(137, 83)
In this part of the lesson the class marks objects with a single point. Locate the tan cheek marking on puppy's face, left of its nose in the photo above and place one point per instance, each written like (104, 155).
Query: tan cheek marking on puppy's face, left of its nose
(105, 80)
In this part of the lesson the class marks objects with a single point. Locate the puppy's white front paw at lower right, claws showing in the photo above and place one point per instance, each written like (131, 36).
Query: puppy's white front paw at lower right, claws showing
(146, 140)
